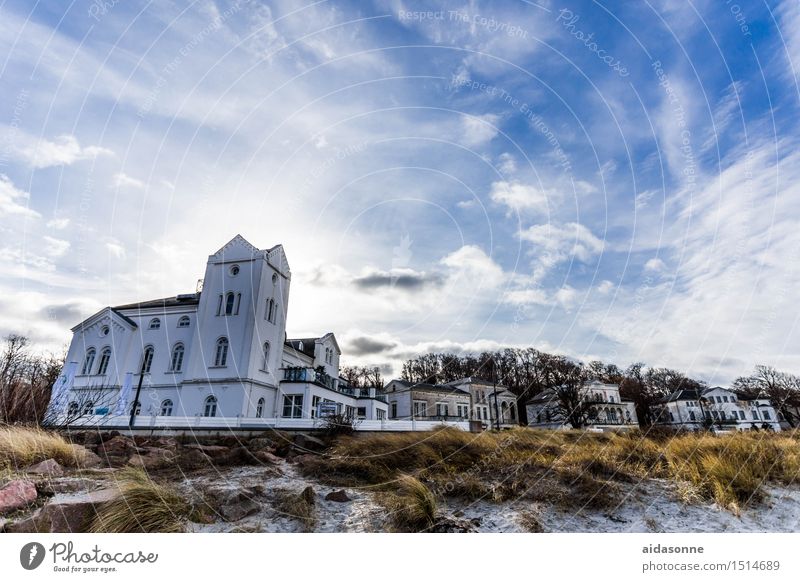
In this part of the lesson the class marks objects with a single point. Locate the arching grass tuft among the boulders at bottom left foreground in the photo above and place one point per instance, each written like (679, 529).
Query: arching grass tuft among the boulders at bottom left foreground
(142, 507)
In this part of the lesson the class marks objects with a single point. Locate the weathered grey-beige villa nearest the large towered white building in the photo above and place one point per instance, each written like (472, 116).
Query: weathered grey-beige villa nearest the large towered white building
(464, 399)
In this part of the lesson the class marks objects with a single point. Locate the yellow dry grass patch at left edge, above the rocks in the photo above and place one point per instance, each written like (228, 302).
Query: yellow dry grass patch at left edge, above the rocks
(21, 446)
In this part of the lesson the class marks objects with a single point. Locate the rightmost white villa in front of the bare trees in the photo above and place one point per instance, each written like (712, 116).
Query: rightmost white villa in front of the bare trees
(716, 407)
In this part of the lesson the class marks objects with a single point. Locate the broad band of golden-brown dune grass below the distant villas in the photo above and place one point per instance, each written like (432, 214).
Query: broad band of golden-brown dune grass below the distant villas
(569, 468)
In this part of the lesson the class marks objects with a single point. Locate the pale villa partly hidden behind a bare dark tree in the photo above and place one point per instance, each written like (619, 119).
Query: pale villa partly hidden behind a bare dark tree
(601, 405)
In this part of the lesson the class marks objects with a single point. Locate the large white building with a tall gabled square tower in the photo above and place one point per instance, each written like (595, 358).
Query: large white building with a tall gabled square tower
(221, 352)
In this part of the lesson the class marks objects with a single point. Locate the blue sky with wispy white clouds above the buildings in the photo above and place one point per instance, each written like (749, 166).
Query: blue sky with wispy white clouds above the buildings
(604, 181)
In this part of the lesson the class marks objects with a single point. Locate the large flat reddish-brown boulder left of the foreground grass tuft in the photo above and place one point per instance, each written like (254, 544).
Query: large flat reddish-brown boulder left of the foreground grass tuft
(65, 513)
